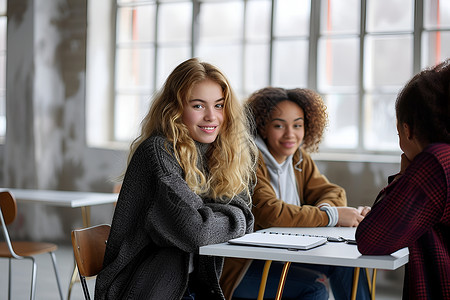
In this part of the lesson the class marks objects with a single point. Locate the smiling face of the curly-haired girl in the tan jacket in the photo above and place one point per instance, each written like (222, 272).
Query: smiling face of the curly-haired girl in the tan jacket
(285, 130)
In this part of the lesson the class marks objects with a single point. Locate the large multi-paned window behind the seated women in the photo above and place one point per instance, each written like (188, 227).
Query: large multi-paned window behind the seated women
(356, 53)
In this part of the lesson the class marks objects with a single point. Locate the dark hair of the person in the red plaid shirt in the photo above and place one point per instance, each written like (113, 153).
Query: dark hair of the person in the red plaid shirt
(424, 104)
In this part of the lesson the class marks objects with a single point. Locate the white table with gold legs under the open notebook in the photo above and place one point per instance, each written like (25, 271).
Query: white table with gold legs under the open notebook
(331, 253)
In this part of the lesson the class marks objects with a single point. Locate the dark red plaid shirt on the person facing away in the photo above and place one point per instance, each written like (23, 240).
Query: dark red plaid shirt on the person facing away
(414, 212)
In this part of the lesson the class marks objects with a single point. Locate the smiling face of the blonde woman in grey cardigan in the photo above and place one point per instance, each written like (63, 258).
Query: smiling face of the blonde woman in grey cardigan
(203, 113)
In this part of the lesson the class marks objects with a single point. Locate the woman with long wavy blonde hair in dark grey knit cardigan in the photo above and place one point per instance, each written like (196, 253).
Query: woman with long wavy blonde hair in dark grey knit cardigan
(187, 184)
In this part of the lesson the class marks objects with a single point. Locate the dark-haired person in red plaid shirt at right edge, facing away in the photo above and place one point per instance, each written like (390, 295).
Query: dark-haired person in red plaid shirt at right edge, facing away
(414, 209)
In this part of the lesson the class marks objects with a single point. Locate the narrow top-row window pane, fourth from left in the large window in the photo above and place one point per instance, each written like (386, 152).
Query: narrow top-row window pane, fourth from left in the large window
(258, 20)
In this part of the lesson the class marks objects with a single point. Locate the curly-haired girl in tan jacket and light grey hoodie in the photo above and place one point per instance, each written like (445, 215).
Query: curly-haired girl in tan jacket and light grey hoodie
(291, 192)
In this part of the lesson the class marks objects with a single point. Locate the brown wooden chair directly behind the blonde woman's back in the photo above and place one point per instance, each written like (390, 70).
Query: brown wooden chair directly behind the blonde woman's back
(89, 246)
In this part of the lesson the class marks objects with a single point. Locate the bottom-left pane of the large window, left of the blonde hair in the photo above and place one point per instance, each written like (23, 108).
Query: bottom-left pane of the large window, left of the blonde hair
(129, 112)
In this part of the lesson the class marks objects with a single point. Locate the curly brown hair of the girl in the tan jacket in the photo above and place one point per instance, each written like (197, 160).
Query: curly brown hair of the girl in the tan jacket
(262, 103)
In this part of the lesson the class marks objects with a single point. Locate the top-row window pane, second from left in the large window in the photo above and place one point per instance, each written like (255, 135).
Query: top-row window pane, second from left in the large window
(174, 22)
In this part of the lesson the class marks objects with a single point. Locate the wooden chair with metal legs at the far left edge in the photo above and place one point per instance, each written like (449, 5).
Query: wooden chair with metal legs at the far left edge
(23, 249)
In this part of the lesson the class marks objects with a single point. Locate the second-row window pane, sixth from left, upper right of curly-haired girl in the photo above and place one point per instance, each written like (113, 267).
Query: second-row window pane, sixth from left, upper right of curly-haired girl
(338, 64)
